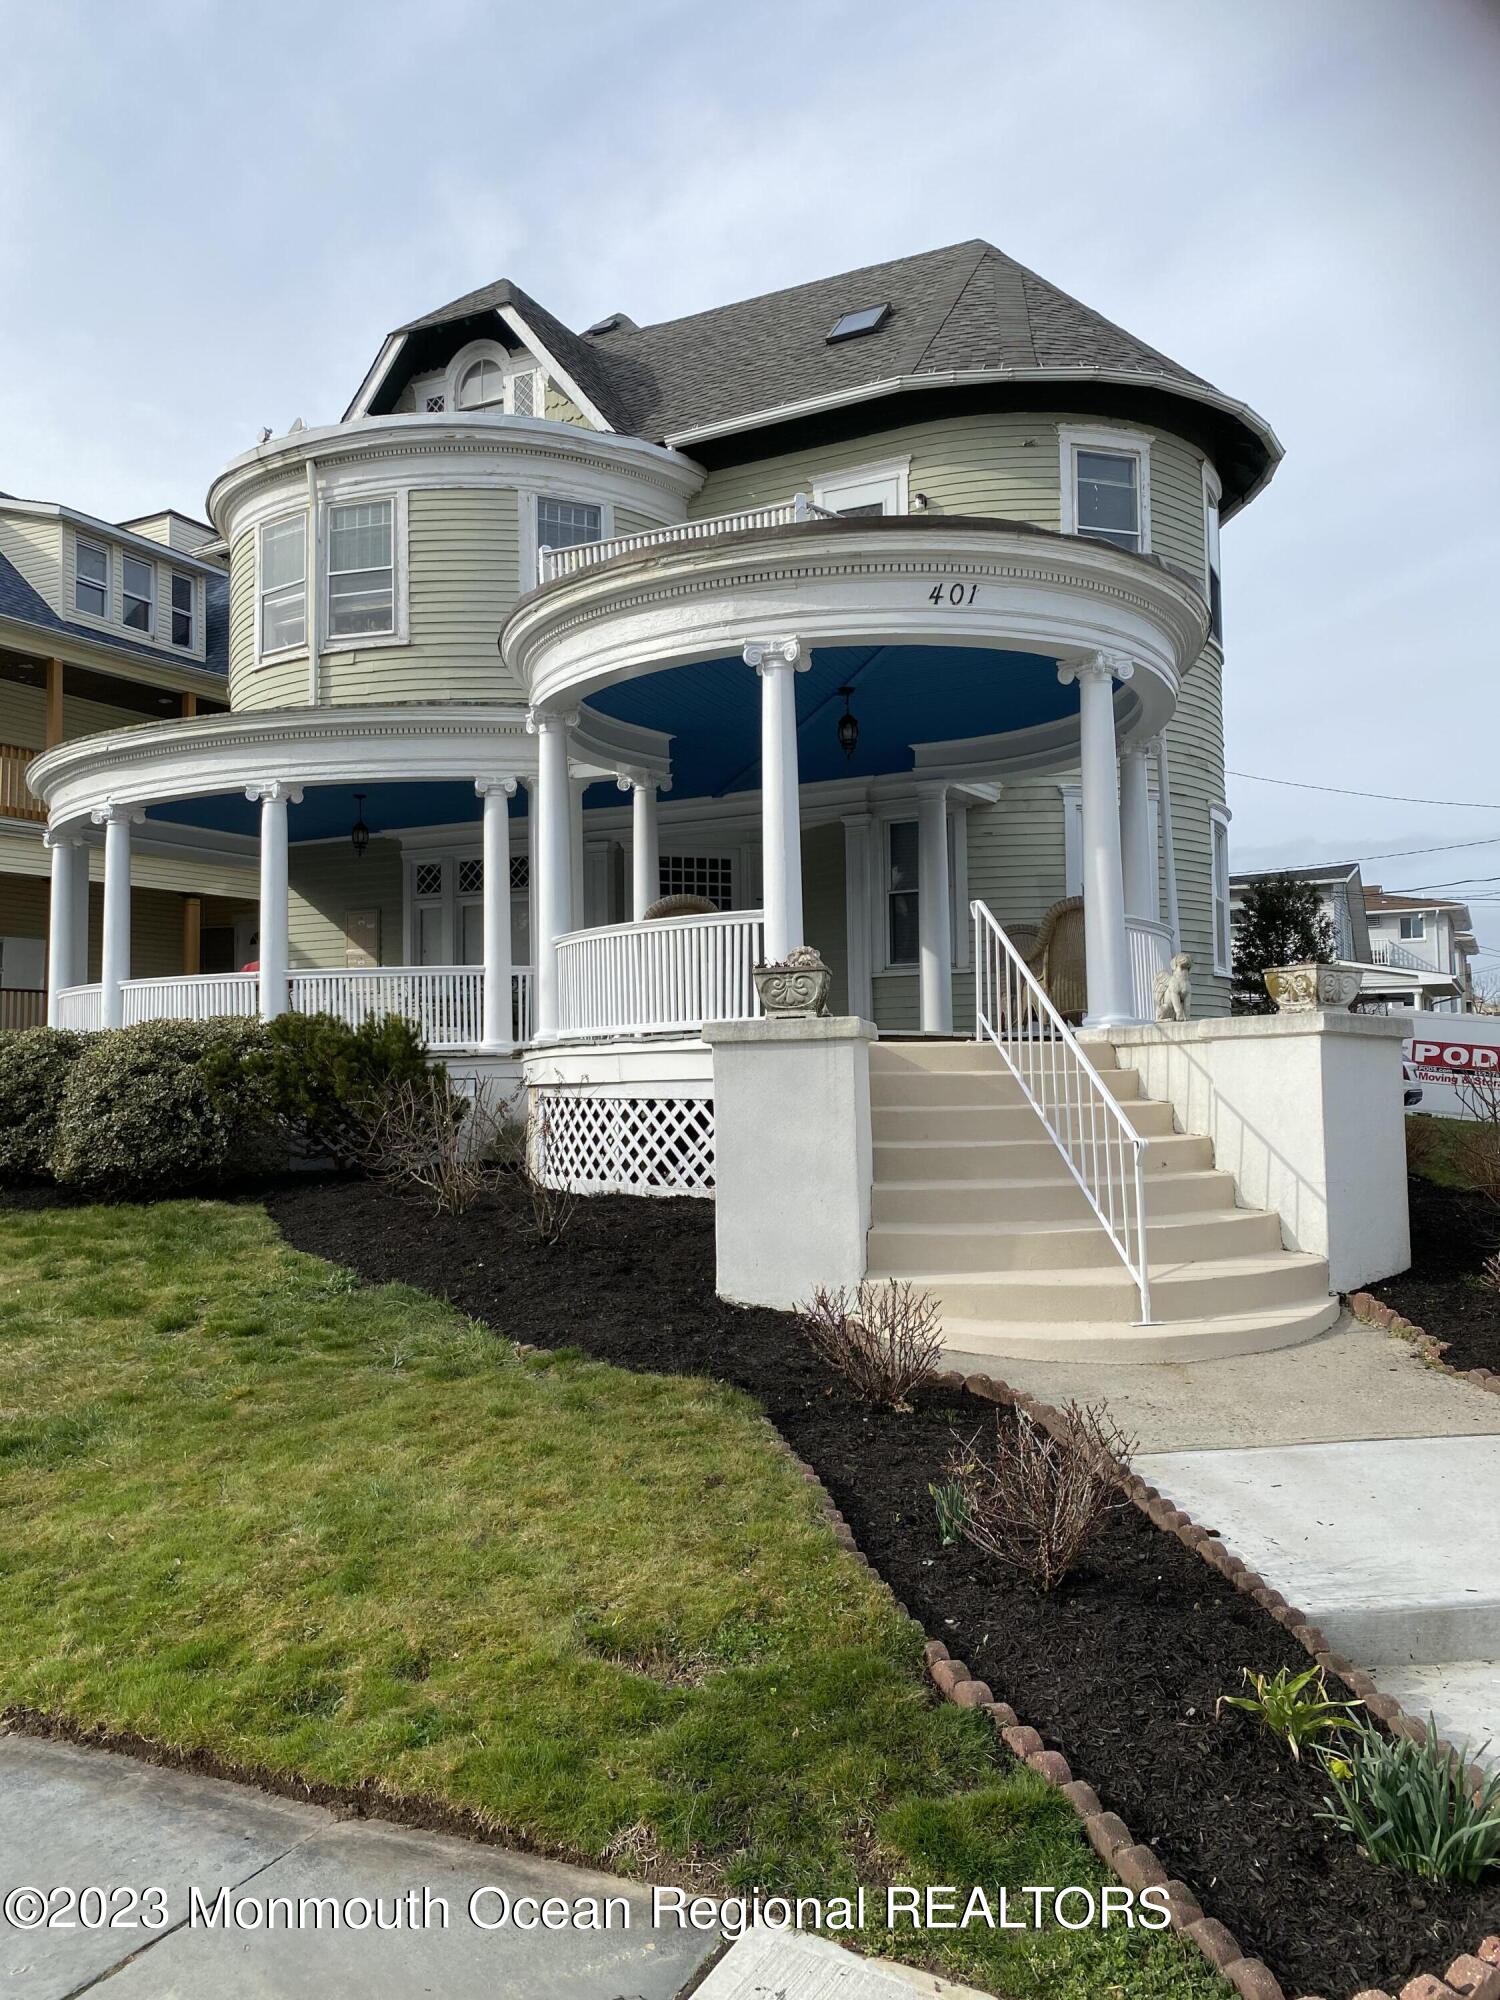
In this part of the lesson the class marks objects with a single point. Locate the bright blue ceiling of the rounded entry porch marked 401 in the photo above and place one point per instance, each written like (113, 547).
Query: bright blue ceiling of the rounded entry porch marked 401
(903, 695)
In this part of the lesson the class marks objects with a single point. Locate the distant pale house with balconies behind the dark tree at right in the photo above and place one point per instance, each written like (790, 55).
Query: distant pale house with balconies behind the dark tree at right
(1413, 953)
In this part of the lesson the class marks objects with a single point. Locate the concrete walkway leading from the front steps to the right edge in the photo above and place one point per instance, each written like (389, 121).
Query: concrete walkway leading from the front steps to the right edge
(1361, 1483)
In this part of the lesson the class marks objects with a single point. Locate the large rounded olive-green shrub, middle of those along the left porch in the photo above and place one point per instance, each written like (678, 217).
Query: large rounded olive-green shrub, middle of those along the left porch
(167, 1105)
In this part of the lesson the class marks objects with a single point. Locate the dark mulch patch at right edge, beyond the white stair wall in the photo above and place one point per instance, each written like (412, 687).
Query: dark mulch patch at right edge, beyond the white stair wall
(1453, 1233)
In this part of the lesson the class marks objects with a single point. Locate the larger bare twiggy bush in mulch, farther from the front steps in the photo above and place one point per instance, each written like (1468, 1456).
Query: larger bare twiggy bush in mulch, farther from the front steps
(1035, 1499)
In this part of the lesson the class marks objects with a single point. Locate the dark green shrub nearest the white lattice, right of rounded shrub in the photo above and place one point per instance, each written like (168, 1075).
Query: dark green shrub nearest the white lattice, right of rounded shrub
(329, 1079)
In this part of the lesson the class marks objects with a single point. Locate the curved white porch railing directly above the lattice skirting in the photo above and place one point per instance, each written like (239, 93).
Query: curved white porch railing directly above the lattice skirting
(665, 977)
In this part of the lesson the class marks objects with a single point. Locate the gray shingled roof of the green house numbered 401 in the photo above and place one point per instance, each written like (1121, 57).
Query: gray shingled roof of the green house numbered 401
(965, 311)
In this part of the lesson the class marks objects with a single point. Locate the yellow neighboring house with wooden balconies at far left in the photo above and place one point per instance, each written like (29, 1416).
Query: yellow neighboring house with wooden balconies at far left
(107, 625)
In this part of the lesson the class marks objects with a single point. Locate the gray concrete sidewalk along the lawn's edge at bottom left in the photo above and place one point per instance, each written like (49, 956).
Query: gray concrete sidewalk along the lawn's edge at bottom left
(77, 1817)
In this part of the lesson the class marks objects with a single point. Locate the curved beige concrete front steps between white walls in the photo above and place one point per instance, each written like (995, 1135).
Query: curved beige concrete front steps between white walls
(975, 1205)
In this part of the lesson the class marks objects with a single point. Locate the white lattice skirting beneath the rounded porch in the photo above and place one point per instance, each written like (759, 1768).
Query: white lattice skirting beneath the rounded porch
(623, 1145)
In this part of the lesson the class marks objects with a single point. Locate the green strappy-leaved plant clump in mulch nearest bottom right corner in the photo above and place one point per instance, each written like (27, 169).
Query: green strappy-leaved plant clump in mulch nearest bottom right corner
(1415, 1807)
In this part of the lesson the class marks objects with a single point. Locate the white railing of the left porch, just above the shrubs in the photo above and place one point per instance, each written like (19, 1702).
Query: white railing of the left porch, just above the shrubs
(447, 1003)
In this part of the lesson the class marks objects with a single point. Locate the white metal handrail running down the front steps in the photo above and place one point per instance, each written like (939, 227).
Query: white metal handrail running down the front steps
(1099, 1145)
